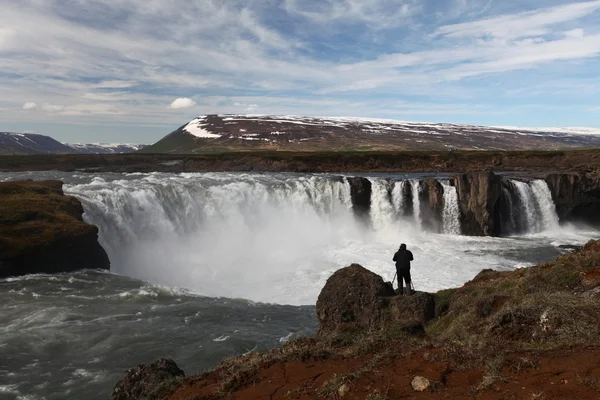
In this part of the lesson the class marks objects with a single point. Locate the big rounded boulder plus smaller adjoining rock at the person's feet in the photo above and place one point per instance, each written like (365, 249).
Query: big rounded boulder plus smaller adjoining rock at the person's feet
(354, 296)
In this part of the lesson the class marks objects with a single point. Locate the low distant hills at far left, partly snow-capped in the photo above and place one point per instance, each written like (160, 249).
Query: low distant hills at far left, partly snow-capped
(31, 143)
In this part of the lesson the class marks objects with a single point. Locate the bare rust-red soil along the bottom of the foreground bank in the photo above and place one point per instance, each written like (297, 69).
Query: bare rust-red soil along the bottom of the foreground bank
(559, 374)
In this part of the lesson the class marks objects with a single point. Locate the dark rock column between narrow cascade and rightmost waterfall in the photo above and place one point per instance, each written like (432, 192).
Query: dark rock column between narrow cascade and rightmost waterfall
(479, 200)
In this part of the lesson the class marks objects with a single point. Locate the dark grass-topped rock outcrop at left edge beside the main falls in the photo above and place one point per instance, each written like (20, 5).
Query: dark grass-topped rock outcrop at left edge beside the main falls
(42, 231)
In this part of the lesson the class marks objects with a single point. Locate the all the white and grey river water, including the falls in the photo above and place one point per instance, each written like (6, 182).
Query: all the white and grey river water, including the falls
(183, 245)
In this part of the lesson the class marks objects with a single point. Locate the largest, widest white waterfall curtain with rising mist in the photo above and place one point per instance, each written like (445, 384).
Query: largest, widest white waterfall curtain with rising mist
(223, 233)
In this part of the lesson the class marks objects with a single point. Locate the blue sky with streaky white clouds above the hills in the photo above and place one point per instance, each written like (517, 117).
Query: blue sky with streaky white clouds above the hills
(131, 71)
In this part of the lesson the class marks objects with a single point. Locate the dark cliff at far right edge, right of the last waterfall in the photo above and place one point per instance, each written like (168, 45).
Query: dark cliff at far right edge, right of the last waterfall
(576, 196)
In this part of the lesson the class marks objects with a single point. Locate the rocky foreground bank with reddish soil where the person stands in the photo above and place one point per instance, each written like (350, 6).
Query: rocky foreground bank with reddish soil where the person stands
(532, 333)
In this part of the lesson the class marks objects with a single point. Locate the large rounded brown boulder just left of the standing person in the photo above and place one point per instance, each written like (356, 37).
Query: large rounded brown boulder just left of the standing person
(353, 295)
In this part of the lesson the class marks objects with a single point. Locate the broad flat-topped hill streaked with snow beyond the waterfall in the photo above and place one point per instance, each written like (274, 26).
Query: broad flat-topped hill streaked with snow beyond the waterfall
(214, 133)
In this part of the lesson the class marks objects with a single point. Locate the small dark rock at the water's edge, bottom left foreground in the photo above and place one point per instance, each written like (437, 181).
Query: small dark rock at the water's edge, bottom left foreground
(148, 380)
